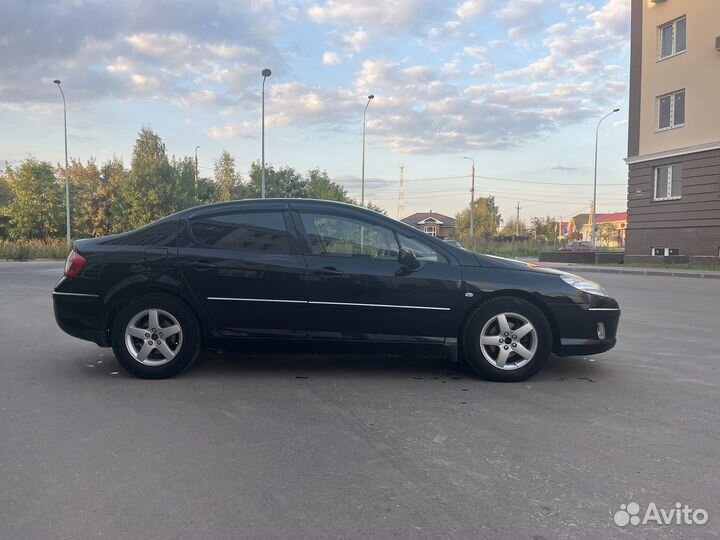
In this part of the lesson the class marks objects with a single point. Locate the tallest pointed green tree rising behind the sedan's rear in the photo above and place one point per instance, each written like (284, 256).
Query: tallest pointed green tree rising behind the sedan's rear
(149, 189)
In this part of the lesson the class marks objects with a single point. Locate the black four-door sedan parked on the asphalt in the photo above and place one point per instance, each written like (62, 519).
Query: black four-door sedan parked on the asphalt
(317, 275)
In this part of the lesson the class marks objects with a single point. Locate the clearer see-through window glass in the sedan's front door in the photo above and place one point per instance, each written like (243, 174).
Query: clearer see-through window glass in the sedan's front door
(328, 234)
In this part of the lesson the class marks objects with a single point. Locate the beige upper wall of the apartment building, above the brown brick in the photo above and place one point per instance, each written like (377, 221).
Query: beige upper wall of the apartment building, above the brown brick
(697, 70)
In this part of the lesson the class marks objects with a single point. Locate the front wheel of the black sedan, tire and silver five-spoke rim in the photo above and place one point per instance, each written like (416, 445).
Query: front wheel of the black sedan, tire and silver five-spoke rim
(521, 354)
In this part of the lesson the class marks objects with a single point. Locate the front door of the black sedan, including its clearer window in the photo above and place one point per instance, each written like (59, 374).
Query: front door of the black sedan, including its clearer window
(358, 290)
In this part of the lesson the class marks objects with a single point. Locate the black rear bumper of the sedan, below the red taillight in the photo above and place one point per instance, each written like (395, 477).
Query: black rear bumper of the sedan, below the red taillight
(80, 316)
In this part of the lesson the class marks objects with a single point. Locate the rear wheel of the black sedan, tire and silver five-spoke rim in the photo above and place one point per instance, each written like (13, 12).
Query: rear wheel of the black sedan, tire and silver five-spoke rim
(155, 354)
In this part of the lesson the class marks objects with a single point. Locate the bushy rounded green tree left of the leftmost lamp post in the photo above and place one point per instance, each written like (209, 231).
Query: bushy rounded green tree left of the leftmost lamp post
(37, 208)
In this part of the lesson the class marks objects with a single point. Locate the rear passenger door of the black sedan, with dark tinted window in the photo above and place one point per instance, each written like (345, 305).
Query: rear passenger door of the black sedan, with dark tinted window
(245, 268)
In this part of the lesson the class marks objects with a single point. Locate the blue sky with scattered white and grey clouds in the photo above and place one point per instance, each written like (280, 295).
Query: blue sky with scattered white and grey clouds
(516, 84)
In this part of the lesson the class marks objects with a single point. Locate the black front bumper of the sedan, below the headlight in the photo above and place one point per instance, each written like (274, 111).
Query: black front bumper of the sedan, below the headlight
(585, 330)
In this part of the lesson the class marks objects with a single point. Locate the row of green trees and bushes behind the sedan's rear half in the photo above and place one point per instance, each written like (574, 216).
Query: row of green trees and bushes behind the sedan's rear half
(108, 198)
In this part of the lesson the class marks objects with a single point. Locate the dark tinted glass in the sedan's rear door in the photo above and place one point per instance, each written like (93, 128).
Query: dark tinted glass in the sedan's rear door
(257, 231)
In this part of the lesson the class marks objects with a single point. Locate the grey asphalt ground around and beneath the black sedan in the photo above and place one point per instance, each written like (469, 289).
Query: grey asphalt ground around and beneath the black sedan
(359, 447)
